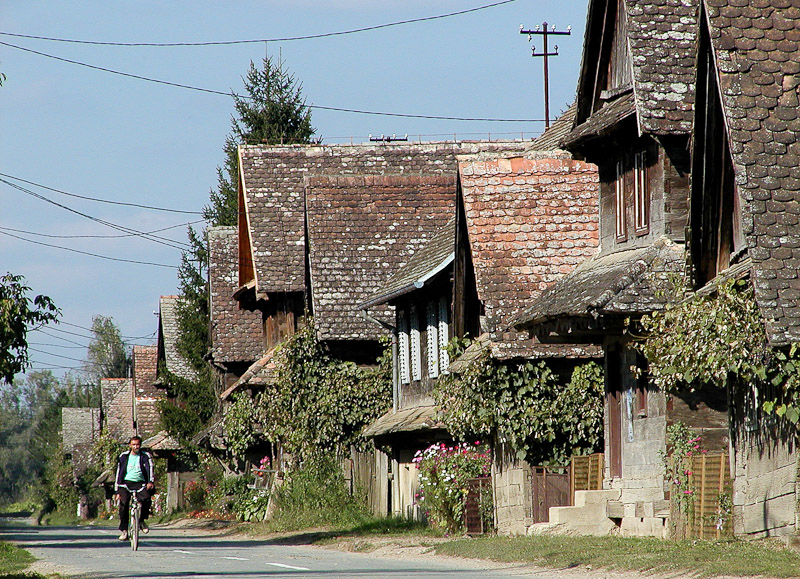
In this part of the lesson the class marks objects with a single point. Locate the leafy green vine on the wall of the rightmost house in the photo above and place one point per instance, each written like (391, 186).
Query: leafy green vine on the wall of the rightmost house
(716, 339)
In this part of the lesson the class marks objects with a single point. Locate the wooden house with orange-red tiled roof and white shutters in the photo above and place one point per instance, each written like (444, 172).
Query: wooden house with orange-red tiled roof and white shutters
(522, 220)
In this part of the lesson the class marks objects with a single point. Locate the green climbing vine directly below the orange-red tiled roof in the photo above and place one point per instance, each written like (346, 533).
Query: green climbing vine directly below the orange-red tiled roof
(525, 405)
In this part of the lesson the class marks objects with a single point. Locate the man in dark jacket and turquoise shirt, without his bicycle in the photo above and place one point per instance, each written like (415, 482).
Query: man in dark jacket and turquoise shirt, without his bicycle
(134, 473)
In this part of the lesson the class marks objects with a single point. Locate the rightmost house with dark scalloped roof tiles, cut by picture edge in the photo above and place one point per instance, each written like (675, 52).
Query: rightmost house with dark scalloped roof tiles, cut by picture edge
(745, 201)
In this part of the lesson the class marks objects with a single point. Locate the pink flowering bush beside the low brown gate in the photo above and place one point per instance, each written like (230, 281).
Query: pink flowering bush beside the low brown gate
(443, 474)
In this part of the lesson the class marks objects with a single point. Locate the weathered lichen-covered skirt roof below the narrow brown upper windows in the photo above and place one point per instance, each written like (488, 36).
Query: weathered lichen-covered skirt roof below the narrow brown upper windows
(625, 282)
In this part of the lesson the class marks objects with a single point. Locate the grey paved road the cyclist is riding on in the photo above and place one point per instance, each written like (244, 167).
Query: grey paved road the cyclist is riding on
(92, 552)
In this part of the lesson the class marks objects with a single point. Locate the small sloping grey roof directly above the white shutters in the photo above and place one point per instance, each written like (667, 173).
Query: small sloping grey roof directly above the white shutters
(422, 267)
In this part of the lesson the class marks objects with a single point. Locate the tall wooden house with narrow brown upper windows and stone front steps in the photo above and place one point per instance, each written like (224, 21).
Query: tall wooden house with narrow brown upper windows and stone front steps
(634, 120)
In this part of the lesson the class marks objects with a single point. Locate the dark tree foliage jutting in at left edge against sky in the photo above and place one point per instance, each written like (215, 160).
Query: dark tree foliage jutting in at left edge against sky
(18, 315)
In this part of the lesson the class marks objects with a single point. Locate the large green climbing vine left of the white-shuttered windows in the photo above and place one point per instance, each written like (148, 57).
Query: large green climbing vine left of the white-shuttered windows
(315, 404)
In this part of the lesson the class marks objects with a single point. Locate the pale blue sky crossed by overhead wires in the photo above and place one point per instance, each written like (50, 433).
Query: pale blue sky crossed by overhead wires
(97, 134)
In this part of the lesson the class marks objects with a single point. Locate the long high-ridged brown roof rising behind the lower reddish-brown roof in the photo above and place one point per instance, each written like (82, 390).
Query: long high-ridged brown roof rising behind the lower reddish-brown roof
(273, 185)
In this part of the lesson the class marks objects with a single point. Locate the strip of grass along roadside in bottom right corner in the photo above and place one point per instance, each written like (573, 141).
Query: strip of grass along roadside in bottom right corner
(701, 558)
